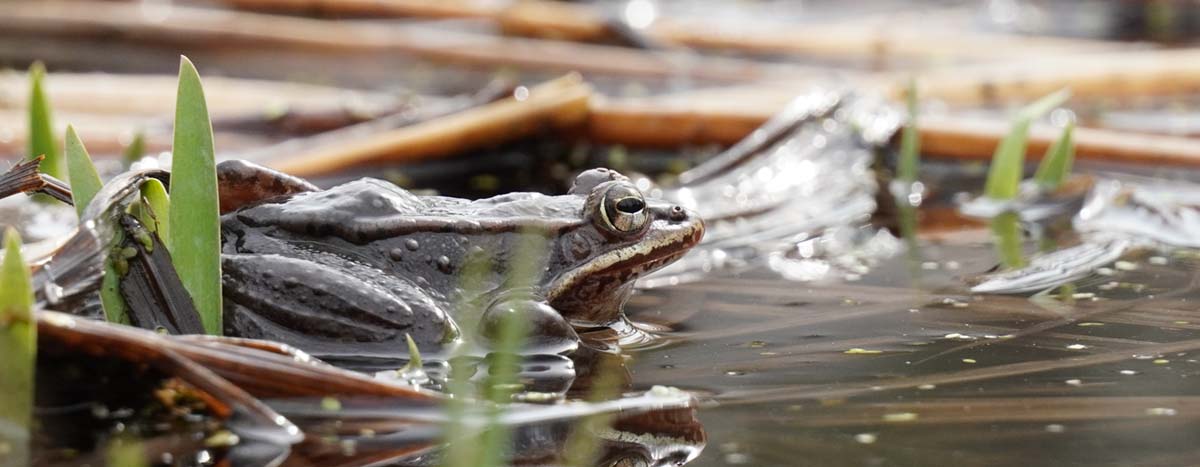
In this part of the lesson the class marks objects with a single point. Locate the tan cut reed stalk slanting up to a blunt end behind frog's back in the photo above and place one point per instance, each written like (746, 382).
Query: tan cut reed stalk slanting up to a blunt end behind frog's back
(560, 104)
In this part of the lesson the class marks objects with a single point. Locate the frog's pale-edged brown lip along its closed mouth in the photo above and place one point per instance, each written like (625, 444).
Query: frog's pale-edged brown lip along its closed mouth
(635, 260)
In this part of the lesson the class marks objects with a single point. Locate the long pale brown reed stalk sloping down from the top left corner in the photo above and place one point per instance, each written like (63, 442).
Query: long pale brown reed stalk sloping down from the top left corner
(201, 28)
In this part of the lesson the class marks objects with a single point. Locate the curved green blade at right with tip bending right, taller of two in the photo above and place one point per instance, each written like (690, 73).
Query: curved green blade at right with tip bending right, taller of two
(1009, 161)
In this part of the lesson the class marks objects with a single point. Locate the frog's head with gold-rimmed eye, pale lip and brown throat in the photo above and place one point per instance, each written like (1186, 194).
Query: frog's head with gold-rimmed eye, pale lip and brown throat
(623, 237)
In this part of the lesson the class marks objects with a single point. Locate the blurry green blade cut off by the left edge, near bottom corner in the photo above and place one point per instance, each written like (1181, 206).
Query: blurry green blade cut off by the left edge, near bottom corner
(19, 351)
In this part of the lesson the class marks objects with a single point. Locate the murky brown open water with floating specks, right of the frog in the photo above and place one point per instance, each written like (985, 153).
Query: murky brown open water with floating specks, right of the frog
(905, 368)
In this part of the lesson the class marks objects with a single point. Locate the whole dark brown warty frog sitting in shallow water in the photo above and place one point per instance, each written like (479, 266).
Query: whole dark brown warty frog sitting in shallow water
(356, 268)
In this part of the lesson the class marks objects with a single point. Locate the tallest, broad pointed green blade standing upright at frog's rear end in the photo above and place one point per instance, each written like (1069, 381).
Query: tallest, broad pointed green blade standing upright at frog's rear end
(194, 224)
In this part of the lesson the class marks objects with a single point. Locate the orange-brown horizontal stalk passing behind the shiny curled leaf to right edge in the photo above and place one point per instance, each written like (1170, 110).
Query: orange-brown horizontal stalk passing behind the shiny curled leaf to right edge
(647, 124)
